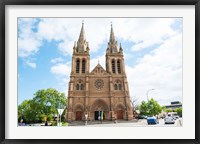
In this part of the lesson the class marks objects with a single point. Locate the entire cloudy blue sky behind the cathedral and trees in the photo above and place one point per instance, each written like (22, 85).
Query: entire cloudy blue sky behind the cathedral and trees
(152, 50)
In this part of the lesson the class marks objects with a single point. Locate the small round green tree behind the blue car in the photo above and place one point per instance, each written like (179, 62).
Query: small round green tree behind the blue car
(150, 108)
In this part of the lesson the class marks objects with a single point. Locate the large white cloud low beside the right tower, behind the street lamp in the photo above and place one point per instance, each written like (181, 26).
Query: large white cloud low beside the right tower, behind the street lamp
(160, 70)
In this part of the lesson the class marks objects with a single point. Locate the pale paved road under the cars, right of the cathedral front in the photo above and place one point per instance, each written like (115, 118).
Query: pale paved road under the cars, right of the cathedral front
(140, 123)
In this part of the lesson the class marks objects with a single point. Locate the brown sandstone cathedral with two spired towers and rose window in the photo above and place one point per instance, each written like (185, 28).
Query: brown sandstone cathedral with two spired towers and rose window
(100, 92)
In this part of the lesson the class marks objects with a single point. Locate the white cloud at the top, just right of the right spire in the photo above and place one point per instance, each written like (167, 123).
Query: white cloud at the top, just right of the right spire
(144, 32)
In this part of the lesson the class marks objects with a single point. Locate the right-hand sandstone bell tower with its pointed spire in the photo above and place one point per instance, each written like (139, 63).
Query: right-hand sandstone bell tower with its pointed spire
(118, 80)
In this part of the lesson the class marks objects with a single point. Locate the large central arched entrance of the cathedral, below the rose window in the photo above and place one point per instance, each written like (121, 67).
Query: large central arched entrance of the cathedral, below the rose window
(100, 109)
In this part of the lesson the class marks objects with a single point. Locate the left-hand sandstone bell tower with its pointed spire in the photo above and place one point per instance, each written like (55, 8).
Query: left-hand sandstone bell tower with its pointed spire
(78, 84)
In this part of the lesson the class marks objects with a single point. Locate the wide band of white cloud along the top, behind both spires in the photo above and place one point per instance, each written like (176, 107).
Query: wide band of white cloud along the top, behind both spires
(143, 32)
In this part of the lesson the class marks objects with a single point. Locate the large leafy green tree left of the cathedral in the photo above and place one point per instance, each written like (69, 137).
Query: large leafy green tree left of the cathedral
(43, 106)
